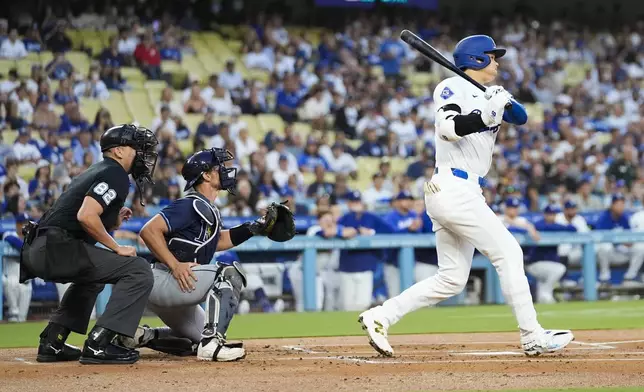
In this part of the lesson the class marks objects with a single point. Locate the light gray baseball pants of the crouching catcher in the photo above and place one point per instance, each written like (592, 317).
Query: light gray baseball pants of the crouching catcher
(178, 310)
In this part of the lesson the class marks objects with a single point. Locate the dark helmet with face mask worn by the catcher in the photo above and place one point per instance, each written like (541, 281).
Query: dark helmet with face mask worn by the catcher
(206, 160)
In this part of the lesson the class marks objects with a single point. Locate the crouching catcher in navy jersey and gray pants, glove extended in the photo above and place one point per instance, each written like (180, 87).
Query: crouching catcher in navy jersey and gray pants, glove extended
(183, 239)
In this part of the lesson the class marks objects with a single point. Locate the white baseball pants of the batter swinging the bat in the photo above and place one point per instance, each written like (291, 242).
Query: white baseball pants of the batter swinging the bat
(462, 221)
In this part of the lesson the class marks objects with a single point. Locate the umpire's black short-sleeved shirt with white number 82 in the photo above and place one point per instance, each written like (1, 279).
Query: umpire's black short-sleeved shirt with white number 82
(107, 182)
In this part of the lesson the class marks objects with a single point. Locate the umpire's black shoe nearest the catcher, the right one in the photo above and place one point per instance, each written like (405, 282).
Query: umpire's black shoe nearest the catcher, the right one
(100, 349)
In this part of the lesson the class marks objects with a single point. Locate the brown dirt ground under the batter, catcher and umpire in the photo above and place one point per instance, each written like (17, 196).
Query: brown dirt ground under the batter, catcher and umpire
(422, 362)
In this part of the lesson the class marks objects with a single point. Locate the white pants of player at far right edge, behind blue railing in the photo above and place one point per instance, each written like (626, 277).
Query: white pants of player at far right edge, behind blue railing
(608, 255)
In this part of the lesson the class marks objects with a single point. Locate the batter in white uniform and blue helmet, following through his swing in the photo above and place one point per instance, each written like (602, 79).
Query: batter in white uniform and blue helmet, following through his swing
(467, 122)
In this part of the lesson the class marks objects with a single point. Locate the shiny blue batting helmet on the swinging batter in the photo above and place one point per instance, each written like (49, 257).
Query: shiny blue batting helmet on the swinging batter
(472, 52)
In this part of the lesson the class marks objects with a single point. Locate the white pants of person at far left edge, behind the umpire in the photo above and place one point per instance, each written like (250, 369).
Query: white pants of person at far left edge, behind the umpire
(18, 294)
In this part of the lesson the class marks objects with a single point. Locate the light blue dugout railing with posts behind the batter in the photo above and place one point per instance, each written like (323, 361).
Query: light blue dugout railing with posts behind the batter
(406, 243)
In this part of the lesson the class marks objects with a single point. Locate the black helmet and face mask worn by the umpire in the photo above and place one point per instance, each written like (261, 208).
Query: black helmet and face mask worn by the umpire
(143, 141)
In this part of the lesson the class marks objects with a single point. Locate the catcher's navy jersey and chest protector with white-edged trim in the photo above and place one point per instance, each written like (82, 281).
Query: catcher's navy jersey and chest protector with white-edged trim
(194, 229)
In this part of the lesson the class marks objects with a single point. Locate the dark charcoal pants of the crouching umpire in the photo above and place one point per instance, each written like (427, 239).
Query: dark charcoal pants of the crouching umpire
(132, 280)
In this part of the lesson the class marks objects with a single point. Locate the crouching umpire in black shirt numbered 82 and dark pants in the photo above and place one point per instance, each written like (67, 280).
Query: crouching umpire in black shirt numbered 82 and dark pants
(61, 248)
